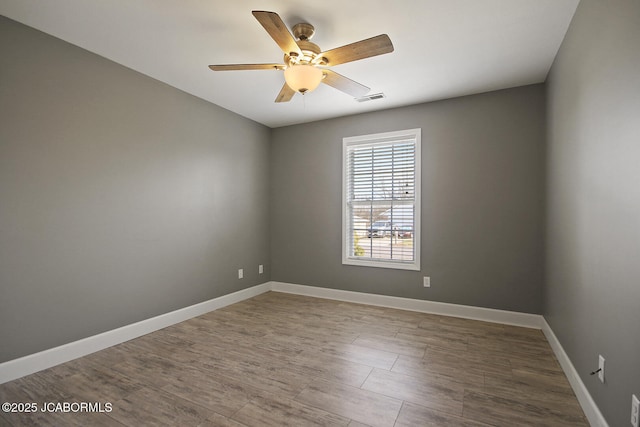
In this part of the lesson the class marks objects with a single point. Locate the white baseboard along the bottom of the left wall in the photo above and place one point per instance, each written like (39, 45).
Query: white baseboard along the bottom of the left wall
(32, 363)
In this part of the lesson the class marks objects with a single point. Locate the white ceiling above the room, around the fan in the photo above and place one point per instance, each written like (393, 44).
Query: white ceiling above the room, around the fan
(443, 48)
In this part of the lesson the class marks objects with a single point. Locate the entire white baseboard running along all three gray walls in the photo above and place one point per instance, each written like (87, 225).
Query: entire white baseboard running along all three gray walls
(32, 363)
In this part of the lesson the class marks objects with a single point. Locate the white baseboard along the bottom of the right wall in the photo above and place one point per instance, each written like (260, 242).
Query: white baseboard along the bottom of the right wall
(591, 411)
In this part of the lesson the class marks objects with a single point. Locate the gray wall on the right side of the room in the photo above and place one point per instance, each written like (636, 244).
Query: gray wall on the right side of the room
(592, 292)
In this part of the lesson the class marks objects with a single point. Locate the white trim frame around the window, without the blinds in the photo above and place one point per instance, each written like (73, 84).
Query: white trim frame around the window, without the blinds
(369, 139)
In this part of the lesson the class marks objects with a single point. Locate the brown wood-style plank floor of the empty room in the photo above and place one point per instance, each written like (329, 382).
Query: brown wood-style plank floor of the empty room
(287, 360)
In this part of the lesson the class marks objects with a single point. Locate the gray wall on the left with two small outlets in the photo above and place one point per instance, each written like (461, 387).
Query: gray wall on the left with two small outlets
(121, 198)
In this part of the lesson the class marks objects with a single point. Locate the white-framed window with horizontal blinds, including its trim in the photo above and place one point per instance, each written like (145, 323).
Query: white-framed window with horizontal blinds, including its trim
(381, 200)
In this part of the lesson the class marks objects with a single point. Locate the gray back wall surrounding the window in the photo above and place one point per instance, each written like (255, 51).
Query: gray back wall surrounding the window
(482, 201)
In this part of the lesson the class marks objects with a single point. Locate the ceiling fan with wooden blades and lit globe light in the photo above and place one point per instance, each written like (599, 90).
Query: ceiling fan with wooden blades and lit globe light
(304, 62)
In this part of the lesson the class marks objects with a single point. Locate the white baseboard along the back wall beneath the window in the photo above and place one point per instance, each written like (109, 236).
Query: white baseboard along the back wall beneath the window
(468, 312)
